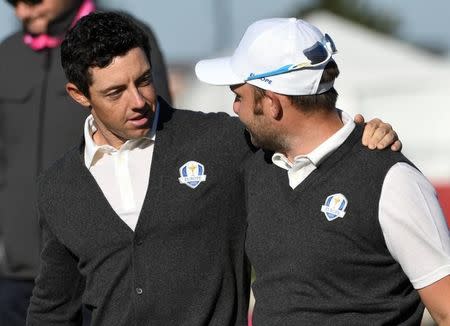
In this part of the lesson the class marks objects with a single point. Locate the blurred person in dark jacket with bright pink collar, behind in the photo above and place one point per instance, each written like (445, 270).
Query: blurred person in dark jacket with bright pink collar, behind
(39, 122)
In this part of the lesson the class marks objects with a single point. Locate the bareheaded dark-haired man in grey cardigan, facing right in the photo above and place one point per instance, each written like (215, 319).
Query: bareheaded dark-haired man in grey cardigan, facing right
(144, 222)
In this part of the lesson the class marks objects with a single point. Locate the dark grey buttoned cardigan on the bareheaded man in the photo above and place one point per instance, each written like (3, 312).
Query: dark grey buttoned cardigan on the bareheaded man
(185, 262)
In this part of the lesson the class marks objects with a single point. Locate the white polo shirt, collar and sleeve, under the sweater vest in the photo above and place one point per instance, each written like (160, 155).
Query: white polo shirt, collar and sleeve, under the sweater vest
(413, 227)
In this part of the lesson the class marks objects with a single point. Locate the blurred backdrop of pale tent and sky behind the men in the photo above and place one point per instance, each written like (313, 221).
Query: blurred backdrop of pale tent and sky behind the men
(394, 58)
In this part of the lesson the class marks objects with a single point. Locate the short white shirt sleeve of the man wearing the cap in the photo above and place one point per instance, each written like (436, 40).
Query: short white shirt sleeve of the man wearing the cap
(414, 225)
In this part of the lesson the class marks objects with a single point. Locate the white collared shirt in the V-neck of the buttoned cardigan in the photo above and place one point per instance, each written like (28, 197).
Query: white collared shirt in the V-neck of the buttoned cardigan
(122, 174)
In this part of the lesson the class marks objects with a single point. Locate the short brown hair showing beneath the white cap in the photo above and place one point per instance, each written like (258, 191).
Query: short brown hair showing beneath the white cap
(308, 103)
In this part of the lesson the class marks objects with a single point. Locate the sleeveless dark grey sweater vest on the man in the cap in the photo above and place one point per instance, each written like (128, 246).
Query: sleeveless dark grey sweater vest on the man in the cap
(312, 271)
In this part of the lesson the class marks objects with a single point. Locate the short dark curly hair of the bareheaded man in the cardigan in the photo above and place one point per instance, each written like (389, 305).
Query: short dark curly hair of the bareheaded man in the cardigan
(95, 41)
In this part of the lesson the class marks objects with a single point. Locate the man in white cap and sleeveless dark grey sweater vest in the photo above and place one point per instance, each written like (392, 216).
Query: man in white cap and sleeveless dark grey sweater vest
(337, 234)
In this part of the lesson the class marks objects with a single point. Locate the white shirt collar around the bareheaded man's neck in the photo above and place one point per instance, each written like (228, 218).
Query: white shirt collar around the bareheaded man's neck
(92, 151)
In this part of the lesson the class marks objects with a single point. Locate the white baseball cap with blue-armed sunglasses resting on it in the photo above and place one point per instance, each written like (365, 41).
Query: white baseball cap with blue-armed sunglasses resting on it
(284, 55)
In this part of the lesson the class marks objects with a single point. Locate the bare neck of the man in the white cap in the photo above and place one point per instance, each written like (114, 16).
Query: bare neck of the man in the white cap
(309, 131)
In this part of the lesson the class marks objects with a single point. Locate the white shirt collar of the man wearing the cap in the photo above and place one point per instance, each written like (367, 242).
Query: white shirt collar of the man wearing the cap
(323, 150)
